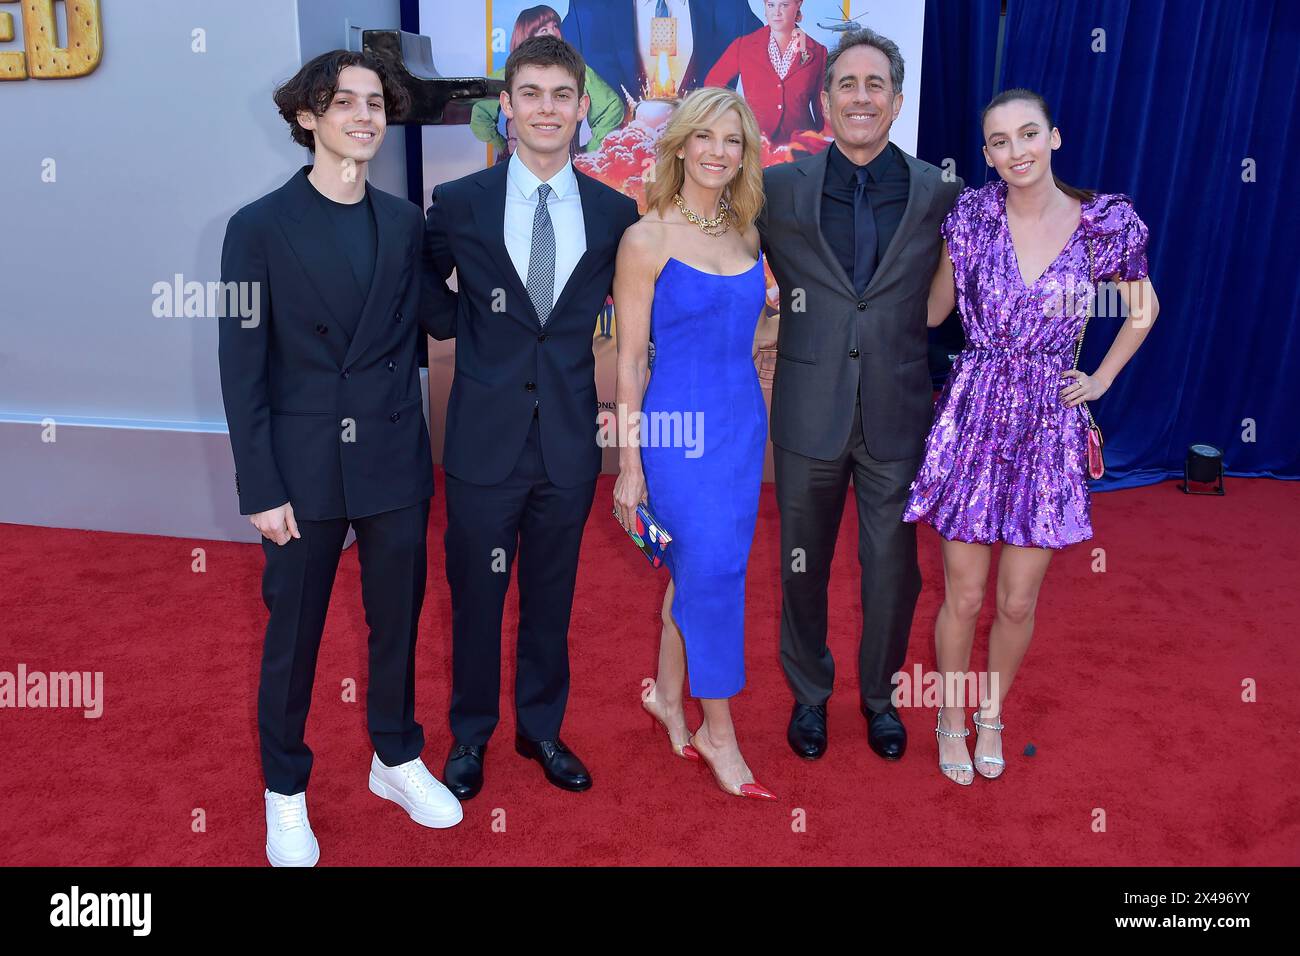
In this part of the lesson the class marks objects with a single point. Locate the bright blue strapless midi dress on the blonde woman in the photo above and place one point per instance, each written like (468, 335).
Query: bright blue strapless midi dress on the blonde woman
(705, 408)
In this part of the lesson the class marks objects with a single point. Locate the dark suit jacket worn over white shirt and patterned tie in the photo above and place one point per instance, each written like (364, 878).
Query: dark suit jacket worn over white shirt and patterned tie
(506, 364)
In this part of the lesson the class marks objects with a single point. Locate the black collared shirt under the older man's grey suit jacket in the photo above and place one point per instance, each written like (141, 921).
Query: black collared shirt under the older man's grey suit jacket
(887, 188)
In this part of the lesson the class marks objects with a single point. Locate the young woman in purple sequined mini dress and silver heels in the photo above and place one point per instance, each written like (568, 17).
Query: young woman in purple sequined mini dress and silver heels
(1007, 456)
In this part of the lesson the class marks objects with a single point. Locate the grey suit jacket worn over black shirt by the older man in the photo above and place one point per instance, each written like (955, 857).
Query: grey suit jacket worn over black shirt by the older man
(837, 348)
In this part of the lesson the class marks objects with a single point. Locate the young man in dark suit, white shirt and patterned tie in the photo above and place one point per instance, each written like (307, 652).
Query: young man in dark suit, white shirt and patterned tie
(534, 245)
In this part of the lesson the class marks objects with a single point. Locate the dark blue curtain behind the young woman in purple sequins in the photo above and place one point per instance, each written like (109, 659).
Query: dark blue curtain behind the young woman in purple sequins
(1185, 93)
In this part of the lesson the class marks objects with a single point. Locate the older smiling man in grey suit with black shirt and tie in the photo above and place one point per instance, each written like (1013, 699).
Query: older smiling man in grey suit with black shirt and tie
(852, 236)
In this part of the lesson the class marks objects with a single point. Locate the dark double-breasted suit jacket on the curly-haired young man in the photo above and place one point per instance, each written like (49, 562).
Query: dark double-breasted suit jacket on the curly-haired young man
(333, 426)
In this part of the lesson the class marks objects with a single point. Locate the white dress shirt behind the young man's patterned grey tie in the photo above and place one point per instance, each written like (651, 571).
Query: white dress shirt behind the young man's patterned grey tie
(566, 209)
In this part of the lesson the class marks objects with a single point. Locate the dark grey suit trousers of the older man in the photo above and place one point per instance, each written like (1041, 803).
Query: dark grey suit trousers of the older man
(811, 499)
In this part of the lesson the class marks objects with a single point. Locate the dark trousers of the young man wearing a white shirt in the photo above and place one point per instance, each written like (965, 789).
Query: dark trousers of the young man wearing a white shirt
(487, 526)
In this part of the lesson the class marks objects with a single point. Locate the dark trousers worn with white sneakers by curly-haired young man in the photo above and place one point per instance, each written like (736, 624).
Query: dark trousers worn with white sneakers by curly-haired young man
(296, 586)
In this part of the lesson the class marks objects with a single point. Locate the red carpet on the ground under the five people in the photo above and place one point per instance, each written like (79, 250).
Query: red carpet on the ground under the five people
(1132, 695)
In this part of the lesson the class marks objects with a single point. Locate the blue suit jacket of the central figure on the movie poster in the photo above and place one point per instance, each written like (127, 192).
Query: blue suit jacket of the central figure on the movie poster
(605, 32)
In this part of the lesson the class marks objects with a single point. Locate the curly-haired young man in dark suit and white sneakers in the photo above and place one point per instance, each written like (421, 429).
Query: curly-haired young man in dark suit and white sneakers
(322, 390)
